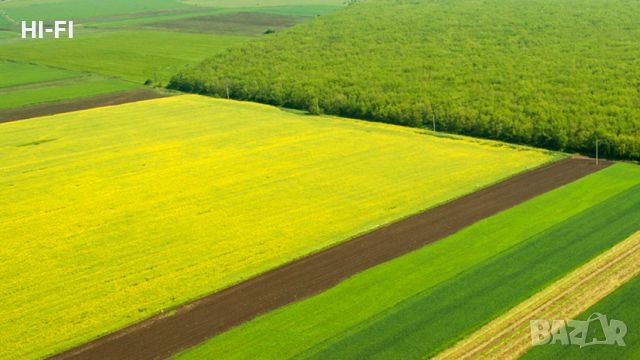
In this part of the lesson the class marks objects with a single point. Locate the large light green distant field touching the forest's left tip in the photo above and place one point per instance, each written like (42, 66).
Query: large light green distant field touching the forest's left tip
(133, 55)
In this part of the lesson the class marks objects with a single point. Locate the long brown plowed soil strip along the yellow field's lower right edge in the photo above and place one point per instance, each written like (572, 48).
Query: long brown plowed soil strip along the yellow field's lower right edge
(193, 323)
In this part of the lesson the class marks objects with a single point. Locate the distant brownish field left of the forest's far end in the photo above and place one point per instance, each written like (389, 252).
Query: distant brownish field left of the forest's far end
(237, 24)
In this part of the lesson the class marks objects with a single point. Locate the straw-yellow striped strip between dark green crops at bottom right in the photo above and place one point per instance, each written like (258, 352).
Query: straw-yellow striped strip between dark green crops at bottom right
(509, 336)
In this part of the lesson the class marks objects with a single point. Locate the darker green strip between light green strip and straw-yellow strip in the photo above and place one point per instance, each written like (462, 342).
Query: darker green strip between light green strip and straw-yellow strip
(439, 317)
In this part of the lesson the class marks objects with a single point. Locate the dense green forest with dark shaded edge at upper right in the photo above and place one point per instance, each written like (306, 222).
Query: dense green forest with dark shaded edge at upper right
(555, 74)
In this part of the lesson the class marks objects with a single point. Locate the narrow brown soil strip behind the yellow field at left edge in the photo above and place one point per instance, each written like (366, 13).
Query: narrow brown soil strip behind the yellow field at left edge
(59, 107)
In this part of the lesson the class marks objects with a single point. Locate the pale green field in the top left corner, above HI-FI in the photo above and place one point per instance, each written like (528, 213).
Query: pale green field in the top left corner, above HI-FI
(51, 10)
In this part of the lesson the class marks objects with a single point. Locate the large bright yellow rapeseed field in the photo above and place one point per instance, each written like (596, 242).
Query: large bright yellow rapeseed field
(109, 215)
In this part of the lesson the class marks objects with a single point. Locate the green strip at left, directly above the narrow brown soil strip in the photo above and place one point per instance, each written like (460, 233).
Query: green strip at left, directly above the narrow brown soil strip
(57, 93)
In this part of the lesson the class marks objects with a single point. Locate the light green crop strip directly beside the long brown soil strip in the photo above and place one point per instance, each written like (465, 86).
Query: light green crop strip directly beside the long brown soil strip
(293, 329)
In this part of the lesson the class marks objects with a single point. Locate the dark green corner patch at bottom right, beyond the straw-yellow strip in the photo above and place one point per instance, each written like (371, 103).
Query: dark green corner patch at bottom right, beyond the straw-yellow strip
(621, 305)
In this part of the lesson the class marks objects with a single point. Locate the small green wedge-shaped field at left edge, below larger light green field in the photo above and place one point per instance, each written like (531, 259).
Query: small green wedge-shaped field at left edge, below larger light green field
(14, 74)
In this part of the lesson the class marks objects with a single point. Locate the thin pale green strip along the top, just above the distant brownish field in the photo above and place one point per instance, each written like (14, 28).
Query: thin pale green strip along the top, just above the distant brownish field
(293, 10)
